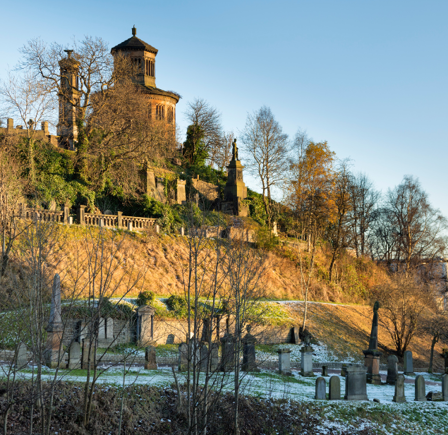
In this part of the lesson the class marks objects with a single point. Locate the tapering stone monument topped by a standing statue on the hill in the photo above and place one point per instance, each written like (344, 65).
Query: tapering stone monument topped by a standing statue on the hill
(235, 190)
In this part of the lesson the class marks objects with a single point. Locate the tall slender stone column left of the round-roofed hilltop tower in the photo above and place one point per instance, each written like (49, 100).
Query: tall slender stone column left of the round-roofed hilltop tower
(67, 128)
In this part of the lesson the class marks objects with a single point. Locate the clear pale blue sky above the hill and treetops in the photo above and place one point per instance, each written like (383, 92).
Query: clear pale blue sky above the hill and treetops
(367, 76)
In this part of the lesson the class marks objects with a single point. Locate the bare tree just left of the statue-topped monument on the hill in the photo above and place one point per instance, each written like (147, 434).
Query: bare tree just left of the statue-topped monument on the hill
(201, 113)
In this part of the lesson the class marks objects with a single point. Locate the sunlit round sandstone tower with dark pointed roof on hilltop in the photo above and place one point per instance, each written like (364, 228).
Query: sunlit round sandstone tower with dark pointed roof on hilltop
(162, 103)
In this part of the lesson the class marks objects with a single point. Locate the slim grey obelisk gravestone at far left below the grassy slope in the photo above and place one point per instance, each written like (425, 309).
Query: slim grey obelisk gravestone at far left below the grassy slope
(53, 354)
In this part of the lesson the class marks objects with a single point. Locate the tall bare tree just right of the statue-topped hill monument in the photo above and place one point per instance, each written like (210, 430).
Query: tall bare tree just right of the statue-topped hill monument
(267, 149)
